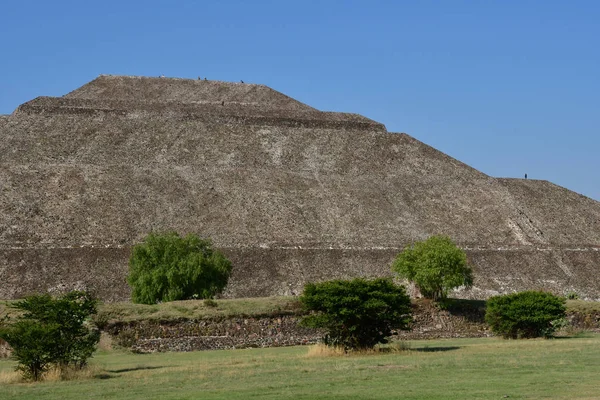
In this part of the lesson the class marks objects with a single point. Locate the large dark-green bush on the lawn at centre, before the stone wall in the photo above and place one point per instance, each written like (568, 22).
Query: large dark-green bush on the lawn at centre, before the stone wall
(357, 314)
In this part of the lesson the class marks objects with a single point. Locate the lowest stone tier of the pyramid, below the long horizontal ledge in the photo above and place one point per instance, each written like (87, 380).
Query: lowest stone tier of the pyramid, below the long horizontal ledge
(260, 272)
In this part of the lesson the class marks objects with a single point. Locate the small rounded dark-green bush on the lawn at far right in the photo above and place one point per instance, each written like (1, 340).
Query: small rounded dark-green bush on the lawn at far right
(525, 315)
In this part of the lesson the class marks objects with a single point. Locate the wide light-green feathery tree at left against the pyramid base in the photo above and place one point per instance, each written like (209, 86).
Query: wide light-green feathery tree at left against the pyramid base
(167, 267)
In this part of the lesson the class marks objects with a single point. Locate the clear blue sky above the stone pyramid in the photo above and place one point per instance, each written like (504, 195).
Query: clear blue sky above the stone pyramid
(508, 87)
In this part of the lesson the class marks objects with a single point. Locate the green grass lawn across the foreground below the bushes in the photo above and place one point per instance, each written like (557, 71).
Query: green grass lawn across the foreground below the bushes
(487, 368)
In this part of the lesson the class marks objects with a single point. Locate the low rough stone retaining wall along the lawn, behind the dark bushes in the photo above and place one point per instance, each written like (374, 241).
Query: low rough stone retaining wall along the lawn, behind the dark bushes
(235, 333)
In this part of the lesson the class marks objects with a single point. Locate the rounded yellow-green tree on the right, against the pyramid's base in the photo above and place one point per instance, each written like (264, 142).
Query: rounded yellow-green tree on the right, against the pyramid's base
(435, 266)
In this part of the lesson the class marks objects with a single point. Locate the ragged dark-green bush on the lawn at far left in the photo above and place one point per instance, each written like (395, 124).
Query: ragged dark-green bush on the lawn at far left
(51, 331)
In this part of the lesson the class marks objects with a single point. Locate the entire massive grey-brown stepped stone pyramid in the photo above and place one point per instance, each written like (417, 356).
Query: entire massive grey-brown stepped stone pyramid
(290, 194)
